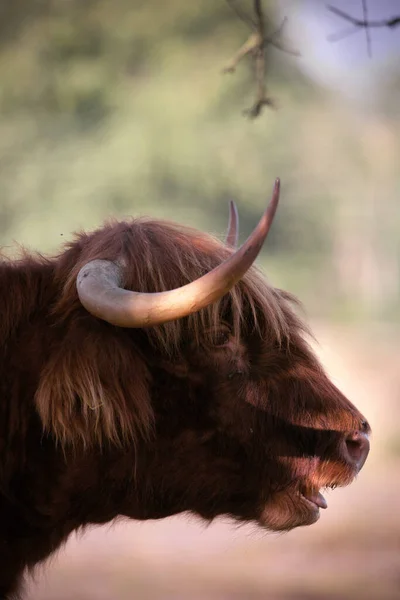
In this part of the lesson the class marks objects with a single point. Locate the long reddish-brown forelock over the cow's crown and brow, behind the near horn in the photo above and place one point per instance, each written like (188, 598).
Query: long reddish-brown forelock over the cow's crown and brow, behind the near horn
(159, 256)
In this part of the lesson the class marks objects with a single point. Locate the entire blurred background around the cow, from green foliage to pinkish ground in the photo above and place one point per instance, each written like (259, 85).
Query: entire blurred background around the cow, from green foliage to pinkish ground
(119, 107)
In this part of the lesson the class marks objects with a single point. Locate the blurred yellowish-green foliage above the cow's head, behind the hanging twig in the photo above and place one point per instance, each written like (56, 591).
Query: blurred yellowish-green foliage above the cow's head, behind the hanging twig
(118, 107)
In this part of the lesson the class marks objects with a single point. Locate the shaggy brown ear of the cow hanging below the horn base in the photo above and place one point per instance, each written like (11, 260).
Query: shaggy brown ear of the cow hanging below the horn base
(95, 388)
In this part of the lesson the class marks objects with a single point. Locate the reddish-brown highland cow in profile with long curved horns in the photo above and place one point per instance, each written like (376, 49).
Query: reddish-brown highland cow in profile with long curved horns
(148, 370)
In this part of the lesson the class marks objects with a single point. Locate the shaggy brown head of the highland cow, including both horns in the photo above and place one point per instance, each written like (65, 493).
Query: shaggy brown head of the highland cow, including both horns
(240, 417)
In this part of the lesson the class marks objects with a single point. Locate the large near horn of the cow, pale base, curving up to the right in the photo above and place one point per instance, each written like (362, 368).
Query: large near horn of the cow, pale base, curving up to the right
(99, 285)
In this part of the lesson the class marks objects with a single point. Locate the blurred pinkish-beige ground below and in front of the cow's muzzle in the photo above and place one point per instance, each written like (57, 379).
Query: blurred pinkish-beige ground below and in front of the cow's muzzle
(353, 552)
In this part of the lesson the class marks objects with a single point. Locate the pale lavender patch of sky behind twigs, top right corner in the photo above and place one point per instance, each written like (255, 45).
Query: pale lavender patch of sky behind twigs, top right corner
(344, 65)
